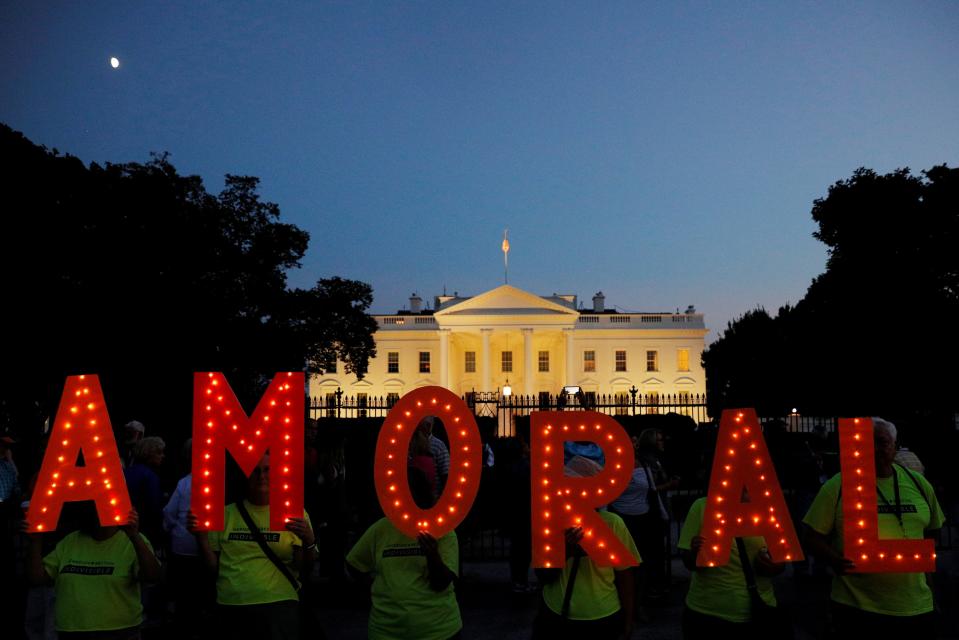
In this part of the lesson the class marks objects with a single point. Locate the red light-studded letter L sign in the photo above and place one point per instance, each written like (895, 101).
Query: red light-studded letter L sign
(860, 511)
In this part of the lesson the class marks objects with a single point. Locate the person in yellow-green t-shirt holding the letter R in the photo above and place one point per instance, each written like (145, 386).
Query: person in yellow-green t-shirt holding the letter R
(585, 600)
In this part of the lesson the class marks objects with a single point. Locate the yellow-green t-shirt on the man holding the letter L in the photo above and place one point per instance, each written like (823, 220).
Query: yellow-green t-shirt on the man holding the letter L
(896, 594)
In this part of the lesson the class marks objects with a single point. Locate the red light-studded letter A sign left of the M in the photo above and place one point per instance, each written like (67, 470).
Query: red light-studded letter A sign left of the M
(82, 426)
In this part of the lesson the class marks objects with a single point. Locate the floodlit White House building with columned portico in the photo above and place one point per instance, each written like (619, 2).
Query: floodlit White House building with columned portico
(533, 344)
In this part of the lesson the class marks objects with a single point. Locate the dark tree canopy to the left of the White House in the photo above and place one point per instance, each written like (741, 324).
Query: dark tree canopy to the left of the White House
(138, 273)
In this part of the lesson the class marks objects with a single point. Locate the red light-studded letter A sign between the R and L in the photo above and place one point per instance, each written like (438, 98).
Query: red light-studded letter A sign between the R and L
(742, 462)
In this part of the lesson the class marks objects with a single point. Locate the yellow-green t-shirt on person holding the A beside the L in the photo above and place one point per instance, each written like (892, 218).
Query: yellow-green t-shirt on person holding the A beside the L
(721, 591)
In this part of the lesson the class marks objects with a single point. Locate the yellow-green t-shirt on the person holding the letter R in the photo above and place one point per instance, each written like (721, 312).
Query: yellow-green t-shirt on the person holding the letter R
(594, 591)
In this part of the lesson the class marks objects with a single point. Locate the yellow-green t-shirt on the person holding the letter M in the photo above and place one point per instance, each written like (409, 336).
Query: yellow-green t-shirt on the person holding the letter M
(246, 575)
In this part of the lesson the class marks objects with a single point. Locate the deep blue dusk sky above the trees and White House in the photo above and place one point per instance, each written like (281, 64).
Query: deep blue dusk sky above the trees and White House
(665, 153)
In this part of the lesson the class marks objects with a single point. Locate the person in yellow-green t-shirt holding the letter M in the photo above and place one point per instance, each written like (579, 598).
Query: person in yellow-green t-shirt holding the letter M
(257, 596)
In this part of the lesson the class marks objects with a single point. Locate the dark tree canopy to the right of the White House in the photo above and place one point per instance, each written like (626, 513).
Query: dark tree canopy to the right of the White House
(875, 331)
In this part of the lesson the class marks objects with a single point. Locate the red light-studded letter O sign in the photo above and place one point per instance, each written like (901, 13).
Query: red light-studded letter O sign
(392, 446)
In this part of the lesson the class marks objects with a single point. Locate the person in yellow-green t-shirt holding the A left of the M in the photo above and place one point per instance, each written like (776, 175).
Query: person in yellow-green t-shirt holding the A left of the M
(96, 572)
